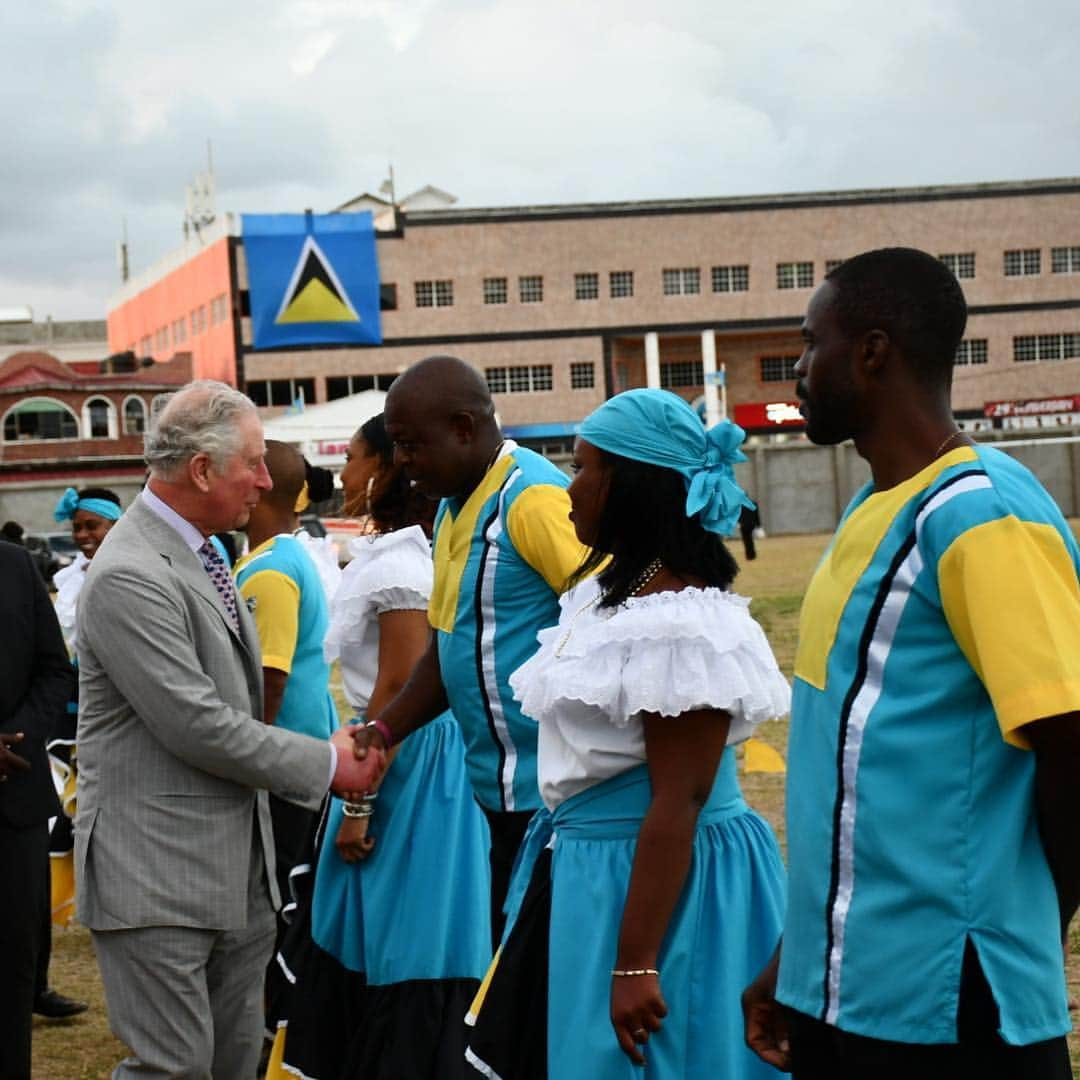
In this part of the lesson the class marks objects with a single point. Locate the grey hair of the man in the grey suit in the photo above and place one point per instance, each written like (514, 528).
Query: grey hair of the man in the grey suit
(200, 418)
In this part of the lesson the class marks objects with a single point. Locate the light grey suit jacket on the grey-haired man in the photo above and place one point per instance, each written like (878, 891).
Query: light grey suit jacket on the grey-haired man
(174, 761)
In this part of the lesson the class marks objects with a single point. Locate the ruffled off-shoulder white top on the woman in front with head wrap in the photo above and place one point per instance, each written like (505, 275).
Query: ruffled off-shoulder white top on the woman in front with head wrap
(600, 669)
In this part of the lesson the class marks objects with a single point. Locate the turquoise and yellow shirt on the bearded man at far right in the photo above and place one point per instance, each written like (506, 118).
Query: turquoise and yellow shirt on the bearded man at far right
(944, 617)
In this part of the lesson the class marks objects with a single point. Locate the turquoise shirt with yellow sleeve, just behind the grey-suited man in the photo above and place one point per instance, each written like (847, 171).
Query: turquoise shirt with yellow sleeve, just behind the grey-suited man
(282, 588)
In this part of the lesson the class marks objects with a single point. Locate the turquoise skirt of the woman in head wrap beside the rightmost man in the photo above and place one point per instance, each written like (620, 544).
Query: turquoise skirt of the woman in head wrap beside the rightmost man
(724, 930)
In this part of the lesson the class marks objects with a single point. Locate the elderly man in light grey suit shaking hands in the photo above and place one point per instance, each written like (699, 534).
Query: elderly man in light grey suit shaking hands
(174, 853)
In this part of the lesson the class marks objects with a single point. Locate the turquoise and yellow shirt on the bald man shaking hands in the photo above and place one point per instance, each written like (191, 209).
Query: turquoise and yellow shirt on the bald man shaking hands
(503, 558)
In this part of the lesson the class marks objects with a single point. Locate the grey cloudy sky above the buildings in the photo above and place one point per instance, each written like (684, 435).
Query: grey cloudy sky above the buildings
(109, 107)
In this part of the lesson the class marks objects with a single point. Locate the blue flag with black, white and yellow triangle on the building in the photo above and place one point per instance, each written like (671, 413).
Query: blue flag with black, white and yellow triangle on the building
(314, 279)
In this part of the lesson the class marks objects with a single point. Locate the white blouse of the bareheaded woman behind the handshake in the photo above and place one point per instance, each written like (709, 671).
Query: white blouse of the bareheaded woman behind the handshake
(388, 573)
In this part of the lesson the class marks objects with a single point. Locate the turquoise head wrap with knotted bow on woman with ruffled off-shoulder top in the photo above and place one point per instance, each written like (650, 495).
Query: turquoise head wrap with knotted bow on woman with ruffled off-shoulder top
(660, 429)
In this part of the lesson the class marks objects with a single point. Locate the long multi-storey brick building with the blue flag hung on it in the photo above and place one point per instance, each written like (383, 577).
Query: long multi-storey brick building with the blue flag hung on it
(563, 306)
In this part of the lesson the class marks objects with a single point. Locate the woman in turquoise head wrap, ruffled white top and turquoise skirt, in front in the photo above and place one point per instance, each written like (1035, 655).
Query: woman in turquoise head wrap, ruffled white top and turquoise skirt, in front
(647, 892)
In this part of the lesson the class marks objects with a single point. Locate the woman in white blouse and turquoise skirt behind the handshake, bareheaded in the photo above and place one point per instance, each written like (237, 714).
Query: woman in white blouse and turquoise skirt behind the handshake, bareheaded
(395, 941)
